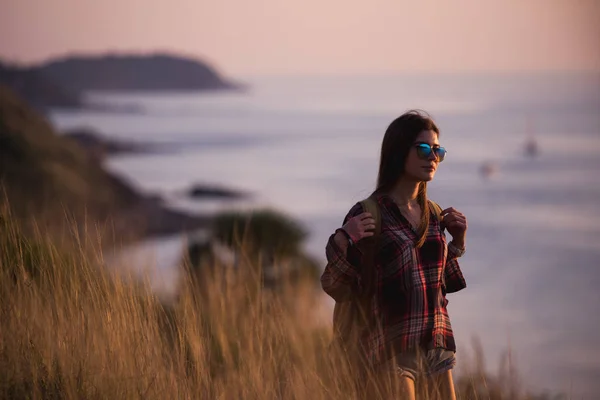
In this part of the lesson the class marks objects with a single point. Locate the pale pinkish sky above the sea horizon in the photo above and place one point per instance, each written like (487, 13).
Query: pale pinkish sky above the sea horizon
(243, 37)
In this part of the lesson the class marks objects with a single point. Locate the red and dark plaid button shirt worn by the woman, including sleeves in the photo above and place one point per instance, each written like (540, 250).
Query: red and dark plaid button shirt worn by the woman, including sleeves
(409, 303)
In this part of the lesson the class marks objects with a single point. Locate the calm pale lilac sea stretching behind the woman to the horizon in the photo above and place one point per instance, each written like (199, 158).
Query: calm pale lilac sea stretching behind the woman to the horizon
(308, 146)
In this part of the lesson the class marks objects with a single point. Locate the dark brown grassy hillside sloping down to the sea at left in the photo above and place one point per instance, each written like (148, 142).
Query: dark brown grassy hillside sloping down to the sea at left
(47, 176)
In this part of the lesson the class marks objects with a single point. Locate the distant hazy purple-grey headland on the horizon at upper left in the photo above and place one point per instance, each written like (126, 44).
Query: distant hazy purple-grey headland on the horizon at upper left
(62, 82)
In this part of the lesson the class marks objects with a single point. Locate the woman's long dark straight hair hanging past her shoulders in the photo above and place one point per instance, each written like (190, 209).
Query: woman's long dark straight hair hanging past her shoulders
(397, 142)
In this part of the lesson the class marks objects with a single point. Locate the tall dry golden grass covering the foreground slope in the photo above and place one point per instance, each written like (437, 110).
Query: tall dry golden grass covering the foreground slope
(72, 330)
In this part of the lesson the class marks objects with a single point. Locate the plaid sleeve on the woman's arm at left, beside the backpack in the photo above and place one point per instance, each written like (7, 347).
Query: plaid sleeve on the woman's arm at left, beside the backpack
(341, 276)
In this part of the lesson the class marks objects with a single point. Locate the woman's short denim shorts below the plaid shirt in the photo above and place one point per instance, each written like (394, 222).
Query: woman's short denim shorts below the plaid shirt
(419, 364)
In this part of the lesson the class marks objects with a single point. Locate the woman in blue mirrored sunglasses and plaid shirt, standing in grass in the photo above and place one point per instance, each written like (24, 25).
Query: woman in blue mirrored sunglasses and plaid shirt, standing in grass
(411, 337)
